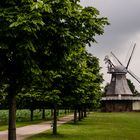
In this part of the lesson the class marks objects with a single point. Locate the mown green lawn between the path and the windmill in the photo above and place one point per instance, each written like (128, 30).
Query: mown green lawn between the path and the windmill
(98, 126)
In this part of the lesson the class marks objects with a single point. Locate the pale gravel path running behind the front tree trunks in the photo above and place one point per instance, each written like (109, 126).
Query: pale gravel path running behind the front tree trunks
(26, 131)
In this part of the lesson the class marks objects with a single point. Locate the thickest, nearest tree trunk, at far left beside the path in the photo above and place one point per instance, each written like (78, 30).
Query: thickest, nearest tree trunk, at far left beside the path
(12, 116)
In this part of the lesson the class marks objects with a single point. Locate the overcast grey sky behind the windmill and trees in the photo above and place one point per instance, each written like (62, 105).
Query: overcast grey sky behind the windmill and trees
(124, 31)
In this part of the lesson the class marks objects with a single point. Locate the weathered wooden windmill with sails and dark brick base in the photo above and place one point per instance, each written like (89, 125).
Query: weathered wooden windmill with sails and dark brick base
(118, 95)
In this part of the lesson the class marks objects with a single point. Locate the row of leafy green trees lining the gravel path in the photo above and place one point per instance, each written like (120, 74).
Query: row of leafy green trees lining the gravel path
(43, 56)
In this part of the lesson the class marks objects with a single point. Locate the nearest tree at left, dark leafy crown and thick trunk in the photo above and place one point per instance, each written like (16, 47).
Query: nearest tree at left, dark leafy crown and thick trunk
(19, 21)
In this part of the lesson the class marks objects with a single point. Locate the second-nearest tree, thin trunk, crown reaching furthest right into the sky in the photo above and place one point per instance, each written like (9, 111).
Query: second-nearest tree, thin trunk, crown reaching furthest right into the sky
(67, 27)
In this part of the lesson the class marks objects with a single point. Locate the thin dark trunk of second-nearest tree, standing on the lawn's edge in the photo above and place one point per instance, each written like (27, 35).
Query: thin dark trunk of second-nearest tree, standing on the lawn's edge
(55, 120)
